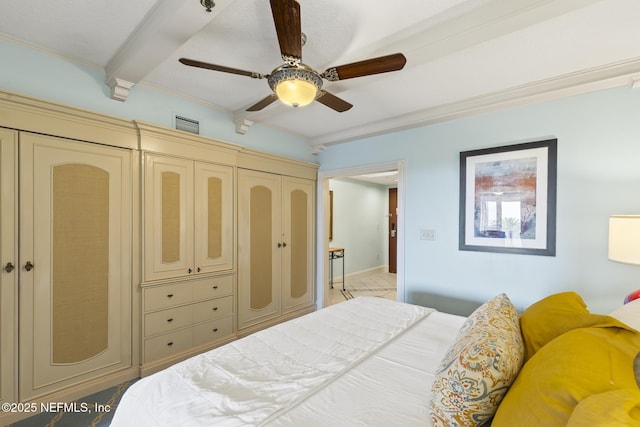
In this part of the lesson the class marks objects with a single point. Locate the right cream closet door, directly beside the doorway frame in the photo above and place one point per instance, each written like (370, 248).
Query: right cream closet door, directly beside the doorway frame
(297, 264)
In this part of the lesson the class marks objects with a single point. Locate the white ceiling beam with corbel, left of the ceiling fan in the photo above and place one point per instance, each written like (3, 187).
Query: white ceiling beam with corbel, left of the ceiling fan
(169, 25)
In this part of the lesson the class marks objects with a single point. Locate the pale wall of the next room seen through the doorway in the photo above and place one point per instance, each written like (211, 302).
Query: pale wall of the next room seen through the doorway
(359, 224)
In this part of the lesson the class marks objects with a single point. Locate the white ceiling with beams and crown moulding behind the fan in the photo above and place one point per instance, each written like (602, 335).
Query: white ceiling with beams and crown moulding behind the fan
(463, 56)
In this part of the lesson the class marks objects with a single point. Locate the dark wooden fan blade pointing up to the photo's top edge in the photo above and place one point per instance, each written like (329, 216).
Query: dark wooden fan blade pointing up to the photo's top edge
(286, 17)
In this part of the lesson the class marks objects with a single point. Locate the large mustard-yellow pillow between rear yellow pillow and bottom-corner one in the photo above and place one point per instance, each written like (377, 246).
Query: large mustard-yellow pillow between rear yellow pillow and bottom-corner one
(581, 363)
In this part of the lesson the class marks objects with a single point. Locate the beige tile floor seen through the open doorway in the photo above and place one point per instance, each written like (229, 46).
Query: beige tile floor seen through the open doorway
(378, 284)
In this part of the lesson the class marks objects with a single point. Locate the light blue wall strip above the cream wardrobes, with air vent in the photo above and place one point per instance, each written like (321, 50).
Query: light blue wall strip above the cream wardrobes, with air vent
(45, 76)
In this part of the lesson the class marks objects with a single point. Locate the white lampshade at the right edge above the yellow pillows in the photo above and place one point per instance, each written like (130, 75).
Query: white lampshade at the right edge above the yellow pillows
(624, 238)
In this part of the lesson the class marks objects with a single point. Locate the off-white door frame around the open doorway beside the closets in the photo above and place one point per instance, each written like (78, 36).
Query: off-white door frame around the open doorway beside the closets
(323, 242)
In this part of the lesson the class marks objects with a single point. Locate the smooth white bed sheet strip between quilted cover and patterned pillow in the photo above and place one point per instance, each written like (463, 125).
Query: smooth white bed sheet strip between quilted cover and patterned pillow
(390, 388)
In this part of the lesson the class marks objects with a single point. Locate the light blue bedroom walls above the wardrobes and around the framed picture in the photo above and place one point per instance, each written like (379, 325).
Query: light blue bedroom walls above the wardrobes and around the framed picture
(598, 175)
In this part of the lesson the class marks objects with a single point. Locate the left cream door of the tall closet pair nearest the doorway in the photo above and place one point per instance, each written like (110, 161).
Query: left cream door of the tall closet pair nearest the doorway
(259, 247)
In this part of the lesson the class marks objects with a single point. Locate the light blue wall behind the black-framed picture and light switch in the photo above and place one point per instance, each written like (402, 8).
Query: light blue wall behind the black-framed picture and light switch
(598, 175)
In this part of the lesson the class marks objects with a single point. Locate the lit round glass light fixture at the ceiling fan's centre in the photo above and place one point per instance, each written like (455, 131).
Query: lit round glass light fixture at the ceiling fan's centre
(296, 85)
